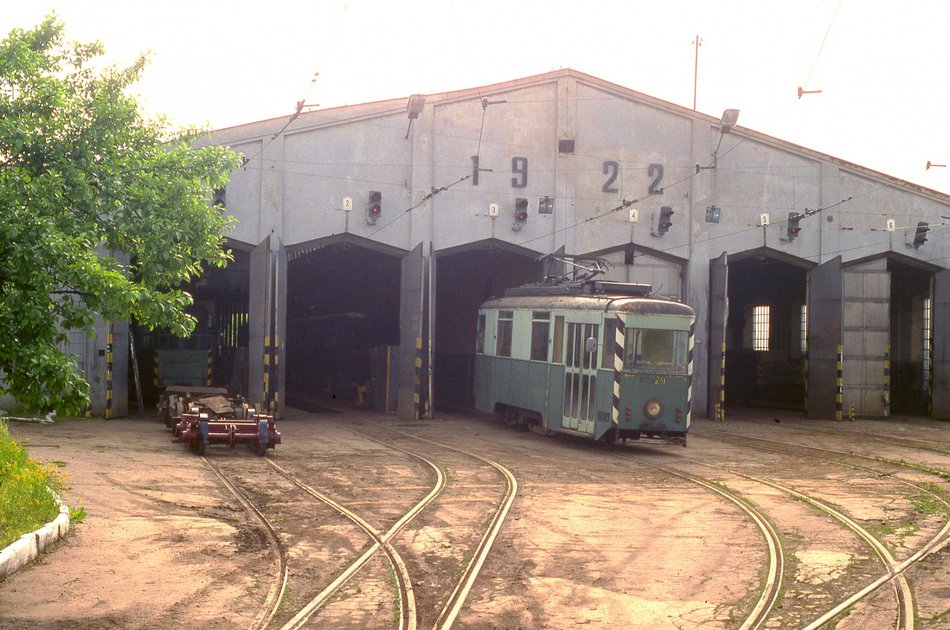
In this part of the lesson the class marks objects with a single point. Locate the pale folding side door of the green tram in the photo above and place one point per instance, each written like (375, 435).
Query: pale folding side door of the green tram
(580, 377)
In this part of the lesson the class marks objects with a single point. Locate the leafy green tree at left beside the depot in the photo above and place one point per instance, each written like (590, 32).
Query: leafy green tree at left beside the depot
(102, 211)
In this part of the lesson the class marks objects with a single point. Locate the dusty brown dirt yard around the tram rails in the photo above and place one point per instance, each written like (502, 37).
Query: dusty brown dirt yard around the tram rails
(602, 537)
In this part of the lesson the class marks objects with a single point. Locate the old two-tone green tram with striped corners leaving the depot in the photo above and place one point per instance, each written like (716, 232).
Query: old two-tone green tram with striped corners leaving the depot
(597, 359)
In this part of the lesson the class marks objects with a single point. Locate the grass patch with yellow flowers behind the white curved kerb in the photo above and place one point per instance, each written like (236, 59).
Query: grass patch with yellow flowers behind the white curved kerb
(26, 503)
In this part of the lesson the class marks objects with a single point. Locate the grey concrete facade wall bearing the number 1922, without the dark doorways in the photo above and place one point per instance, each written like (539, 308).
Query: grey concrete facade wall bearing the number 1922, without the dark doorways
(596, 163)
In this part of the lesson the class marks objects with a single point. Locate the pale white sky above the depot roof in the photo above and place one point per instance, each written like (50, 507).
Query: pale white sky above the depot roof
(882, 66)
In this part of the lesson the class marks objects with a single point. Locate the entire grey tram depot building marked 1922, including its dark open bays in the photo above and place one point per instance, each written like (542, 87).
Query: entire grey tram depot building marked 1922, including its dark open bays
(368, 235)
